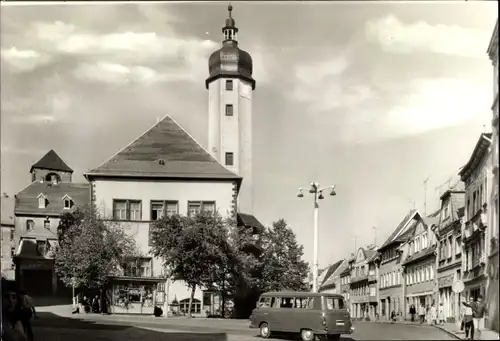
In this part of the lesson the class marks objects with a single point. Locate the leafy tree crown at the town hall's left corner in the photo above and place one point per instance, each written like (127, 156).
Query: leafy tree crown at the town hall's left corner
(91, 249)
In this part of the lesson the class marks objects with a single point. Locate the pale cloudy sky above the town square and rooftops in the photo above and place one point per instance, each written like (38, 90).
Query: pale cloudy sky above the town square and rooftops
(373, 97)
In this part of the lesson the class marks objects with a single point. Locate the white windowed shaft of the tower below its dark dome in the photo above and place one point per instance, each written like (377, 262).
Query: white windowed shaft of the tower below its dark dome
(230, 131)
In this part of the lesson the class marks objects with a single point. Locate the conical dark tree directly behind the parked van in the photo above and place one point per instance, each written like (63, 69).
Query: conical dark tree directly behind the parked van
(282, 265)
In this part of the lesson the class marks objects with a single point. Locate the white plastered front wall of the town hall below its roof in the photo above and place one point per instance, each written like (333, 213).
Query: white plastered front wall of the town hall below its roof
(106, 191)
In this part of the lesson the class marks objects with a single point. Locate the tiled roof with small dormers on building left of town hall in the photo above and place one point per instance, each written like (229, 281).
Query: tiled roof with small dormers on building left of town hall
(27, 203)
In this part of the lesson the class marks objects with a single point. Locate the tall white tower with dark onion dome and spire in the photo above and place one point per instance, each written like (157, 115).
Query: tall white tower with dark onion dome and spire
(230, 85)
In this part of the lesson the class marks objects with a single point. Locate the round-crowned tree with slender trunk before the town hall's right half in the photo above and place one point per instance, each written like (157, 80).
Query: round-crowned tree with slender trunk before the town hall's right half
(193, 249)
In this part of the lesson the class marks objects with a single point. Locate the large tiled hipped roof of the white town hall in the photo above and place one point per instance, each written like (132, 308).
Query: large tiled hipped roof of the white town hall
(165, 151)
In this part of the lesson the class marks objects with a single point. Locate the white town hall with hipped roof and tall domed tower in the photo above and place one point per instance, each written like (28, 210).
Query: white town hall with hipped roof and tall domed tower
(167, 171)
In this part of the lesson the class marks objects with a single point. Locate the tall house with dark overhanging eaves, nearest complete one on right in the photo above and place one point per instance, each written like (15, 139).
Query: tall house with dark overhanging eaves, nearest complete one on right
(476, 175)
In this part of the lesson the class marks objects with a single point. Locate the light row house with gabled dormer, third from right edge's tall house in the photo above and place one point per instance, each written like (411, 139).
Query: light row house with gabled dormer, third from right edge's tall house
(419, 261)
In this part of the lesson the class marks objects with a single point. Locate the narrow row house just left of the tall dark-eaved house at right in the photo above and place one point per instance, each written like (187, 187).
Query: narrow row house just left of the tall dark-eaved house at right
(449, 252)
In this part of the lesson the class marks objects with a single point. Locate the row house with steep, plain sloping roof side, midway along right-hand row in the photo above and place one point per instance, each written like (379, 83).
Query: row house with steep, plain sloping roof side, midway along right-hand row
(391, 293)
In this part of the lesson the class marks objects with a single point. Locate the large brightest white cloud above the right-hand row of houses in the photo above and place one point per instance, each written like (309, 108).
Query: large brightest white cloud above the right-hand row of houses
(426, 105)
